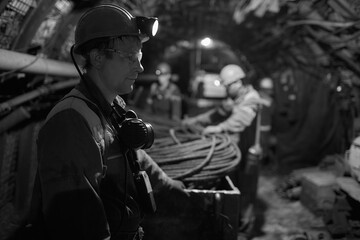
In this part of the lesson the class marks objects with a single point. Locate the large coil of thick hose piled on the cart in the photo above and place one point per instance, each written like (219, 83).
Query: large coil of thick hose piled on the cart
(187, 155)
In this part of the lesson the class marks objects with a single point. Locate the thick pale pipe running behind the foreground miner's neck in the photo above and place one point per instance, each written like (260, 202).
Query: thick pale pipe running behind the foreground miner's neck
(15, 61)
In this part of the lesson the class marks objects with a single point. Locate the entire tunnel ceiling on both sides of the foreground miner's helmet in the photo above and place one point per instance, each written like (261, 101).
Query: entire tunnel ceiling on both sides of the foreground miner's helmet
(271, 34)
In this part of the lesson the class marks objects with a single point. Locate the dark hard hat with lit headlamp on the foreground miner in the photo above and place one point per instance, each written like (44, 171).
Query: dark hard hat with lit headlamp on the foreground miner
(109, 20)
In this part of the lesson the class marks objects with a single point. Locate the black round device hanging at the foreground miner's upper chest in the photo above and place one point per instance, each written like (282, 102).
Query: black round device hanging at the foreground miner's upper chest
(132, 131)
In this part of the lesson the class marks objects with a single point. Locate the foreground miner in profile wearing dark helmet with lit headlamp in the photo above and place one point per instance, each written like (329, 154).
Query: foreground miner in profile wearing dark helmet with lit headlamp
(85, 186)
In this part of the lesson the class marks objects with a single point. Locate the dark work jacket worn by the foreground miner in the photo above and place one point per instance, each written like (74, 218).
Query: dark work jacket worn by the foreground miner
(80, 194)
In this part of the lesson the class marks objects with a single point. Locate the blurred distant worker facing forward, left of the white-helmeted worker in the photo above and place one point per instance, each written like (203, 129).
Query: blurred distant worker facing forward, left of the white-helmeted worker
(165, 96)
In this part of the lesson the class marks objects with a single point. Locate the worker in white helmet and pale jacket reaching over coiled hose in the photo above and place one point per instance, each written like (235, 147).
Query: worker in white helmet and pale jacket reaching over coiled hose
(236, 116)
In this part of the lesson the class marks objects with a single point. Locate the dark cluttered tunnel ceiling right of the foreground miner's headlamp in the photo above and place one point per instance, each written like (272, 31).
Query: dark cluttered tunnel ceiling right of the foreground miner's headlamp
(271, 33)
